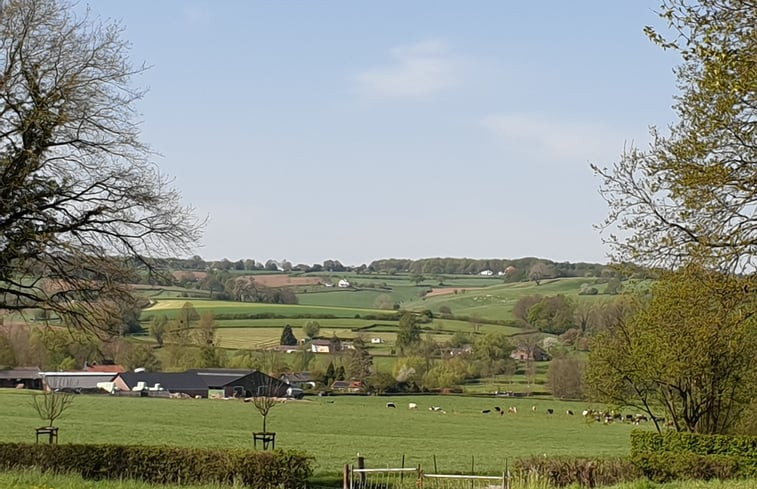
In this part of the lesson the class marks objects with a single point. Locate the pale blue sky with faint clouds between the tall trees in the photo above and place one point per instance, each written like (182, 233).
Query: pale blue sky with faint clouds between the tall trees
(357, 131)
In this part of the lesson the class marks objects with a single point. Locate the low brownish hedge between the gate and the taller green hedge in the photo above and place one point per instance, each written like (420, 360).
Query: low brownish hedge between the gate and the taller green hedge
(587, 472)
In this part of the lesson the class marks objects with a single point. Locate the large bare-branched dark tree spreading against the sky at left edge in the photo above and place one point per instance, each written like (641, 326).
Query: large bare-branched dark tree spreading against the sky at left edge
(80, 203)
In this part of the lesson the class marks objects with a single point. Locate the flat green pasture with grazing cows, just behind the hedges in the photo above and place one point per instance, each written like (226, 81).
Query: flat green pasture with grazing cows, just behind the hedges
(334, 429)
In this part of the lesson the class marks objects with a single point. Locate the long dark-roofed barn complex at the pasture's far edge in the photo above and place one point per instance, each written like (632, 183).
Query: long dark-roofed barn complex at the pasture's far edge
(203, 383)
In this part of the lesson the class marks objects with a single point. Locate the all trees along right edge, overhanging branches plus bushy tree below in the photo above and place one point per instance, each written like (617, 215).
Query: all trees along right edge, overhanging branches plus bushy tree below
(684, 352)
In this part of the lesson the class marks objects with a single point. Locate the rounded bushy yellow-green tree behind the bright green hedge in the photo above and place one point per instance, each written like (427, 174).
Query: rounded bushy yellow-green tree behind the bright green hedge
(688, 349)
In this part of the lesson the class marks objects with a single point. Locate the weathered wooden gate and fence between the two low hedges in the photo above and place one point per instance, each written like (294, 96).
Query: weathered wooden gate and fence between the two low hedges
(394, 478)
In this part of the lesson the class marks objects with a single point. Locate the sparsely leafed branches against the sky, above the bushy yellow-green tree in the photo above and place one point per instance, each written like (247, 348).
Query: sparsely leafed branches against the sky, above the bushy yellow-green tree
(693, 193)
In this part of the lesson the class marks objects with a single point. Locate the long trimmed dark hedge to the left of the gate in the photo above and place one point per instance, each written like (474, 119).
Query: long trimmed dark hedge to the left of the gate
(164, 465)
